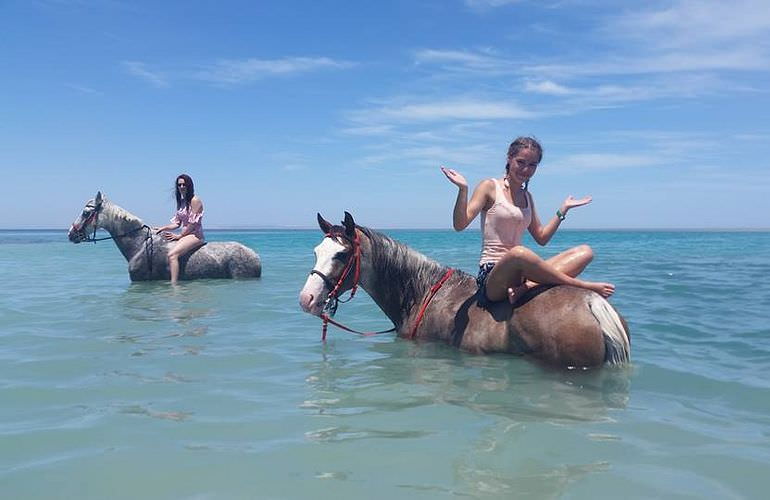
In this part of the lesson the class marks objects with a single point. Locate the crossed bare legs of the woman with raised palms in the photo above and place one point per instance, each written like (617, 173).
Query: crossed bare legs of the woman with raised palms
(506, 278)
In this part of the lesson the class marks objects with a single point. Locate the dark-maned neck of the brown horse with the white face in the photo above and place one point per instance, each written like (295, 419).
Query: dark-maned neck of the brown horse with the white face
(396, 277)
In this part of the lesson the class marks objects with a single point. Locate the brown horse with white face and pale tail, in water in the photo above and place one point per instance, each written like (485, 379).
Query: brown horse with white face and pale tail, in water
(561, 326)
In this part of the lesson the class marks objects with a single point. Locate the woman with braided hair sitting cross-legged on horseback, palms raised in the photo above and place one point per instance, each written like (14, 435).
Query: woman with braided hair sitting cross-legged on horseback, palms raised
(507, 269)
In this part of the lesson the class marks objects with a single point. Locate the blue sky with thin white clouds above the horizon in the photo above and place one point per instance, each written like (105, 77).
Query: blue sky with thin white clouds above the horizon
(281, 109)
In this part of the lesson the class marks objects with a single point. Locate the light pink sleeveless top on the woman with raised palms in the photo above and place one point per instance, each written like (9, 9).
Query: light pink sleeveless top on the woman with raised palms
(502, 226)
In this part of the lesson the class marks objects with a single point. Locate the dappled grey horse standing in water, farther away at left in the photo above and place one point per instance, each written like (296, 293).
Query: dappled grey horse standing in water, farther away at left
(147, 253)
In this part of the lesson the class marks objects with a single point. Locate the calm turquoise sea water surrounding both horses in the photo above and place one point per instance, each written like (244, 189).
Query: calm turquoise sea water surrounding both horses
(222, 389)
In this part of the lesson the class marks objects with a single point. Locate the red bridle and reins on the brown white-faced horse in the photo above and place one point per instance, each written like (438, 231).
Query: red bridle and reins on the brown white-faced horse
(333, 299)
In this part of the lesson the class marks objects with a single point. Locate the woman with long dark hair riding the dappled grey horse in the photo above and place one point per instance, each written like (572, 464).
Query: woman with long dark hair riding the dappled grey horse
(189, 212)
